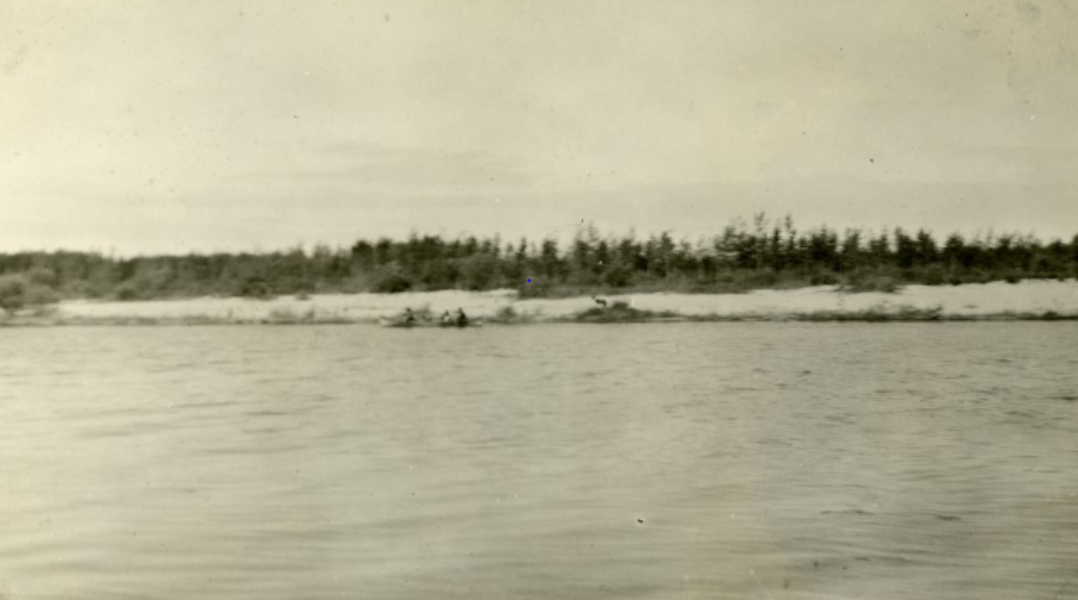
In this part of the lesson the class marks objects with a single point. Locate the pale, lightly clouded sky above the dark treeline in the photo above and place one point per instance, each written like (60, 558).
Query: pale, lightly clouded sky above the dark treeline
(142, 128)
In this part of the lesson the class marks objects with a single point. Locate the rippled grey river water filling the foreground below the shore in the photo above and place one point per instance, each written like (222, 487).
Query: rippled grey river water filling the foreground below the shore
(563, 462)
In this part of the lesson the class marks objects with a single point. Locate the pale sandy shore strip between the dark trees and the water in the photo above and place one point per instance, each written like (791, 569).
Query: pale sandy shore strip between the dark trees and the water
(1028, 300)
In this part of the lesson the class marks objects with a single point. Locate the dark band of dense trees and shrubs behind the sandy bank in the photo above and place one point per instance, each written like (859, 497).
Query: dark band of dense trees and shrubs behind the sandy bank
(745, 256)
